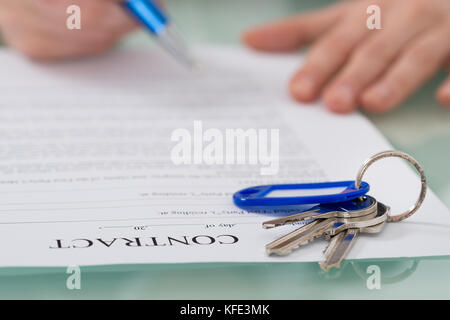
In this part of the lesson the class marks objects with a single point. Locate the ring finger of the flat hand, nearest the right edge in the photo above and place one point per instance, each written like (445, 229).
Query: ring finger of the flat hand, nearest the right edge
(418, 63)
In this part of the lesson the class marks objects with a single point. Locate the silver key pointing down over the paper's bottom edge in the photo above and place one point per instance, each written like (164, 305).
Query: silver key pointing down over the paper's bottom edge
(342, 242)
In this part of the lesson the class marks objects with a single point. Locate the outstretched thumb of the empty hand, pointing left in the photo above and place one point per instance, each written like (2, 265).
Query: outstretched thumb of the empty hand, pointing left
(289, 34)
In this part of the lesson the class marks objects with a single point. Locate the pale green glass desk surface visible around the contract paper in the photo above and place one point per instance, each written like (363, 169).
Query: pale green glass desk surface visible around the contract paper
(420, 127)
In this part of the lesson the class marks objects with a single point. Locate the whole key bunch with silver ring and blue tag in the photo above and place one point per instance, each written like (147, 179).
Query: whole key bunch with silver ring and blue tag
(338, 217)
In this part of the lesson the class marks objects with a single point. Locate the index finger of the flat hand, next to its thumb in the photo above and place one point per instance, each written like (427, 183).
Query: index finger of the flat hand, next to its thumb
(327, 55)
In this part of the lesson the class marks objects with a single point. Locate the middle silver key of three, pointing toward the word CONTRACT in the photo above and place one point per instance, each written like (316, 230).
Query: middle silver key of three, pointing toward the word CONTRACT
(323, 227)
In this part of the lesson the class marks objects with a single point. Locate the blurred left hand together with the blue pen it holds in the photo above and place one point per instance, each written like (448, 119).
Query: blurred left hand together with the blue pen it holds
(38, 28)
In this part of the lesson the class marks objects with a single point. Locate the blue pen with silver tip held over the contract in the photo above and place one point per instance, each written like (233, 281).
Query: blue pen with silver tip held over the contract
(151, 16)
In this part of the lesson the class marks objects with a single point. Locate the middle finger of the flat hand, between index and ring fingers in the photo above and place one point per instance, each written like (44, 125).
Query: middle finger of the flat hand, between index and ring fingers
(372, 57)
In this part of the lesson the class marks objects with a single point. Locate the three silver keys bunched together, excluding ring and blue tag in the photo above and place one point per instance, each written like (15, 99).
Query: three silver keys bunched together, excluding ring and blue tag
(337, 223)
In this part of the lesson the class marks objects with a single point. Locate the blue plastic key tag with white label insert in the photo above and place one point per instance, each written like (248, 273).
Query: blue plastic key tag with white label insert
(281, 195)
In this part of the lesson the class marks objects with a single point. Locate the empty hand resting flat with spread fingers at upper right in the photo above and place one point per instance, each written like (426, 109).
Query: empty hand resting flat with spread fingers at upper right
(350, 65)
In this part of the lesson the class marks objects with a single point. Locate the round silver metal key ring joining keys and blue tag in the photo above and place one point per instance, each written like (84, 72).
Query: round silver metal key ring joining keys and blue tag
(407, 157)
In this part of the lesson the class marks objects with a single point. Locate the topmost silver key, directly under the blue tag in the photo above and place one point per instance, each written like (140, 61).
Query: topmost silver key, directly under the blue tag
(348, 209)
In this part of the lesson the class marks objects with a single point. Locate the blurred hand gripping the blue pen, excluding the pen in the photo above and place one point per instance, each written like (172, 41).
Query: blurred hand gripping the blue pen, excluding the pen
(37, 28)
